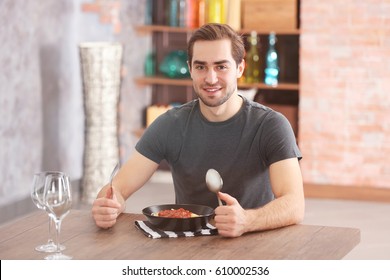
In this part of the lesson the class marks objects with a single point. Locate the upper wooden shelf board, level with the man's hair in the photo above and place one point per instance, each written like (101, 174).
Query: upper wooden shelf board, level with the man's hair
(171, 29)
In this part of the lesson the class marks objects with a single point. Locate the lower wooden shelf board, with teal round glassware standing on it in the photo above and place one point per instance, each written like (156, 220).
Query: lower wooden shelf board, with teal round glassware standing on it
(187, 82)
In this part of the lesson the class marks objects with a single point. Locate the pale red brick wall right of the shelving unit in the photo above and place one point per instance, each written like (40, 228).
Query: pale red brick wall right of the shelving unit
(344, 114)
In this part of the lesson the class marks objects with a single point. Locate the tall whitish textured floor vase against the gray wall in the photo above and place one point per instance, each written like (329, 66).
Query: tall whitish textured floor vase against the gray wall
(100, 67)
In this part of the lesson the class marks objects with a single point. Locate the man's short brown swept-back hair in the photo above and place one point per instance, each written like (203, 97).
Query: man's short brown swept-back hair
(216, 31)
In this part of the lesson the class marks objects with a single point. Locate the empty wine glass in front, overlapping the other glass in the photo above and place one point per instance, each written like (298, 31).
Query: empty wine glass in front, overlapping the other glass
(57, 198)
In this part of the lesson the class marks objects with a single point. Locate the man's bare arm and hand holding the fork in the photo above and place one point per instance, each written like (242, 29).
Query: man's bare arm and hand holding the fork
(131, 177)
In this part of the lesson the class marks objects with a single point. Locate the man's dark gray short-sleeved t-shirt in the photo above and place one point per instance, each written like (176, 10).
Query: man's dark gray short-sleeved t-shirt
(241, 149)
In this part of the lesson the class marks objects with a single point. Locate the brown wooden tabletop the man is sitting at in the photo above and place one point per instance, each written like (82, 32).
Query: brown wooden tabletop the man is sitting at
(83, 240)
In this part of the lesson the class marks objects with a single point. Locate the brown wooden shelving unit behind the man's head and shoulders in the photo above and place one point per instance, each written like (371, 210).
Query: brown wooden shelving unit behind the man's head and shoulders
(166, 90)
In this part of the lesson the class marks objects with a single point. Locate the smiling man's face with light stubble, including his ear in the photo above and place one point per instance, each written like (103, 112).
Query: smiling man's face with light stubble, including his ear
(214, 71)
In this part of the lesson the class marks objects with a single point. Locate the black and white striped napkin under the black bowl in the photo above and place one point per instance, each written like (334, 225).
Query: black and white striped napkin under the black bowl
(147, 229)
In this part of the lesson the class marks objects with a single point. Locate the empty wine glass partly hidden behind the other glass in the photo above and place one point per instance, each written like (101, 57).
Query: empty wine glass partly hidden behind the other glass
(37, 189)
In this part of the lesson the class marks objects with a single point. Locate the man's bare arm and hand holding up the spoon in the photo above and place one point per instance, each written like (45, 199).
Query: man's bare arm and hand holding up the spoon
(286, 209)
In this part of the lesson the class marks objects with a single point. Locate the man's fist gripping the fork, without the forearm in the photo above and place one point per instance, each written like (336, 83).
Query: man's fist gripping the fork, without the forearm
(105, 210)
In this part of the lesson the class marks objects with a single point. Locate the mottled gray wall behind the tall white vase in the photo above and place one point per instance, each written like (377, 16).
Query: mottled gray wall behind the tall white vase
(41, 101)
